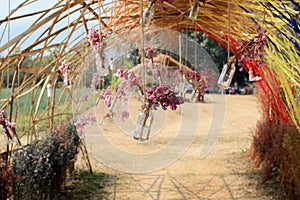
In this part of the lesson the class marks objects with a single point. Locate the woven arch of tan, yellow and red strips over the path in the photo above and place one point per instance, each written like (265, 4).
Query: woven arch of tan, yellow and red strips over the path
(58, 31)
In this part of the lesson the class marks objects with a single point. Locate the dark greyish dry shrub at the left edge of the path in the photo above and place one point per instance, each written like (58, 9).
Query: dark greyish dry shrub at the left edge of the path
(41, 168)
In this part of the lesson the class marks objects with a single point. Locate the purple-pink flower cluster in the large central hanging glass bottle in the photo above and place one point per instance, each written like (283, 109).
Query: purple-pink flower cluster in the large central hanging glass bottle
(161, 94)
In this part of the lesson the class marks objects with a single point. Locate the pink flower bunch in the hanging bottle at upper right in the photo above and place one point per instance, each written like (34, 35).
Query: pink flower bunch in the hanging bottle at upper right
(253, 50)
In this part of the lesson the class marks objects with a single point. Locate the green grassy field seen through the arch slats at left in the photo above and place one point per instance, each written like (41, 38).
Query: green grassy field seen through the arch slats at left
(61, 106)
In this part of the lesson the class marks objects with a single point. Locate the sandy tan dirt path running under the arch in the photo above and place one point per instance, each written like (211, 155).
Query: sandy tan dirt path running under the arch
(153, 169)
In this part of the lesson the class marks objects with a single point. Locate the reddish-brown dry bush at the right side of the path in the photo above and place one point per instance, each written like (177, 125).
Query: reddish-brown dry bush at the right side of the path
(276, 149)
